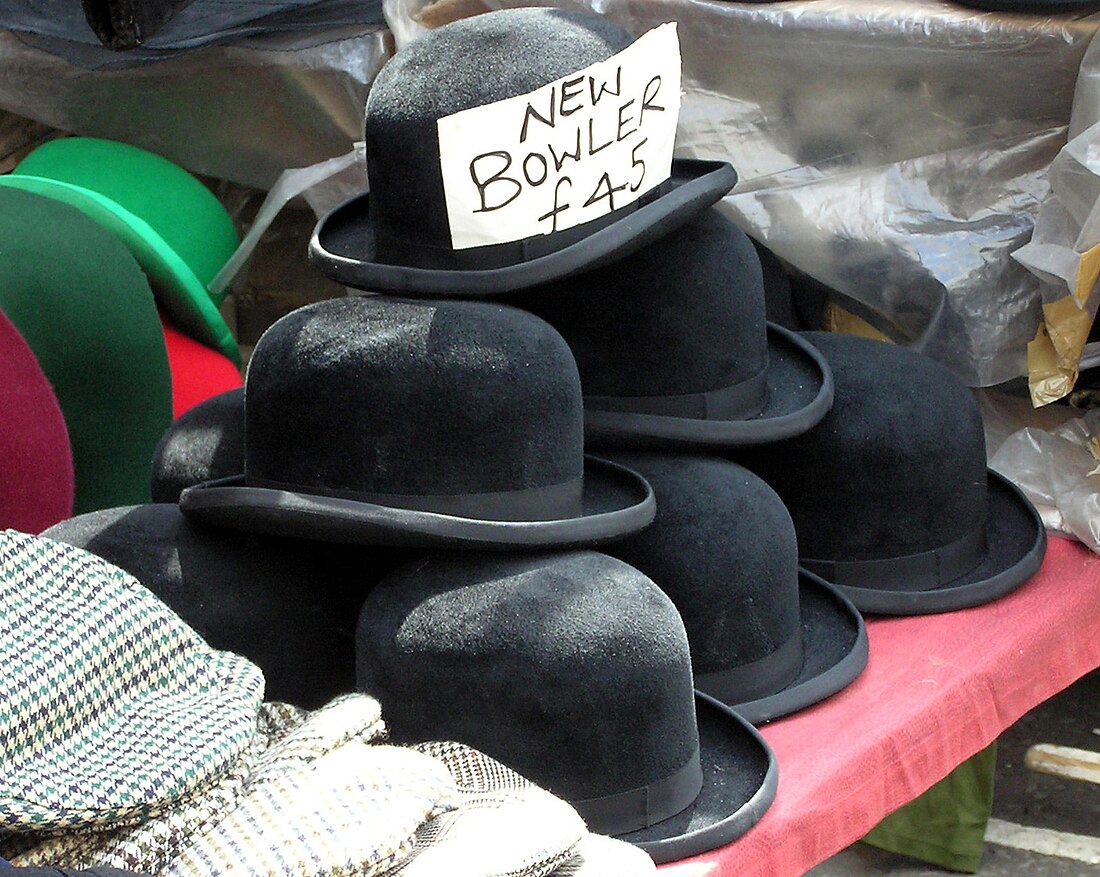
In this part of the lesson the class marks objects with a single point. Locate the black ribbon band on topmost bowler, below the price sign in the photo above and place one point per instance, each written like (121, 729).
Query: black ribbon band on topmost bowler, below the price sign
(426, 256)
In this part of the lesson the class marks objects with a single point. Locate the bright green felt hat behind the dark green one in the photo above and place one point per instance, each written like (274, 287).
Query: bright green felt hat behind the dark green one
(174, 227)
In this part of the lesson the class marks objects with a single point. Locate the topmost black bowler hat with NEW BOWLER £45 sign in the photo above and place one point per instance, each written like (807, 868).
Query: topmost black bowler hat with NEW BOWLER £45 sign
(513, 149)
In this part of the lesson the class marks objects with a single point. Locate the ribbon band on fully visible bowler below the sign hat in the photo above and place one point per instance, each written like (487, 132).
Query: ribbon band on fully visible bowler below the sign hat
(554, 502)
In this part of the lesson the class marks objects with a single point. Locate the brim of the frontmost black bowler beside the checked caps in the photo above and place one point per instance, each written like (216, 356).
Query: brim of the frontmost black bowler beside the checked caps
(740, 781)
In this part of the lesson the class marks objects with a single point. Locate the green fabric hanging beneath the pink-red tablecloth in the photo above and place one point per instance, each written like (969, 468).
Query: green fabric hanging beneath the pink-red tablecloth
(947, 826)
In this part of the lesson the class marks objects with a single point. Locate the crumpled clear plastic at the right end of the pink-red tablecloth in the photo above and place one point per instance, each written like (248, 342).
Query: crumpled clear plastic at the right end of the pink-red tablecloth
(1052, 455)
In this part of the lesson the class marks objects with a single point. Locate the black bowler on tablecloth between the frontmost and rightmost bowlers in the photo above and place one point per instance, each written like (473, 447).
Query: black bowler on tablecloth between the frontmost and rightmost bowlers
(766, 640)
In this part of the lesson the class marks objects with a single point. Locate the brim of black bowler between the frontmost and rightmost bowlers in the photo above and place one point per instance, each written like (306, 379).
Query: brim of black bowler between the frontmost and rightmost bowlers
(834, 653)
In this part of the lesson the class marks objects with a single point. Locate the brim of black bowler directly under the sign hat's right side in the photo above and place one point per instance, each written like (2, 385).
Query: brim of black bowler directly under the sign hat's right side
(800, 394)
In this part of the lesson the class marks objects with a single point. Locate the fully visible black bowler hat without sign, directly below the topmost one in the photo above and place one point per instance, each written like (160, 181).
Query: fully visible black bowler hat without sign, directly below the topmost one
(420, 424)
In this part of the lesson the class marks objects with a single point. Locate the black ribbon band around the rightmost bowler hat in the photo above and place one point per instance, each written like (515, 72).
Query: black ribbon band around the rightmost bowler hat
(912, 573)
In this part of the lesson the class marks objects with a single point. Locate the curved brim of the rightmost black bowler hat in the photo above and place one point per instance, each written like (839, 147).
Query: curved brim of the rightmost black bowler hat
(1016, 543)
